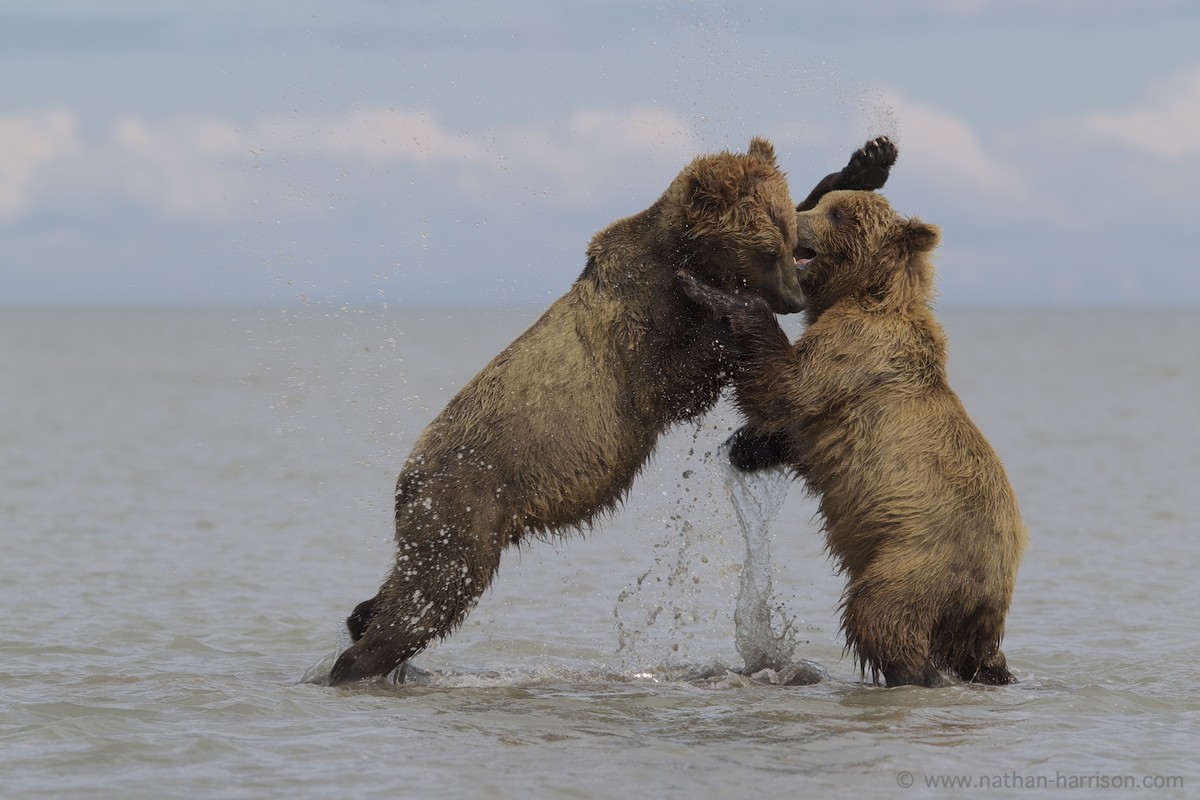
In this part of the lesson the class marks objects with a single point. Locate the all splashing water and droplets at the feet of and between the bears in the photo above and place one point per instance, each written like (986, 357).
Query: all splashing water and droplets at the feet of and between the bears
(667, 621)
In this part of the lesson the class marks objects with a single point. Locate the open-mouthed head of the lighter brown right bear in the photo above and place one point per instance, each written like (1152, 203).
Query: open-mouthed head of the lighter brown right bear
(854, 245)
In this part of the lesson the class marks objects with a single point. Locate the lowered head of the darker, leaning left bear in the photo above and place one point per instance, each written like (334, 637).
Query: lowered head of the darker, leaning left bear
(739, 225)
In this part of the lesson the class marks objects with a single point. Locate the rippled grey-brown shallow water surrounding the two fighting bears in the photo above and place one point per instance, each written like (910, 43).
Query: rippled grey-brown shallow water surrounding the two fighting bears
(194, 501)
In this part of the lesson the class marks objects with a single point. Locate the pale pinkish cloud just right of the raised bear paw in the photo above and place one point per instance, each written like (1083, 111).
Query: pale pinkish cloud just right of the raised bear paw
(945, 152)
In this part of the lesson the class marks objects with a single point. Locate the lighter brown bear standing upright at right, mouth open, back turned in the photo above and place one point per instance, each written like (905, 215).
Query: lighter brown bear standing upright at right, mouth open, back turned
(917, 508)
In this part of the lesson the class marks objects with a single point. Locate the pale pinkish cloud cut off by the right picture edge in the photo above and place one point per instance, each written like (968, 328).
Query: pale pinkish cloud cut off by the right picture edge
(1165, 128)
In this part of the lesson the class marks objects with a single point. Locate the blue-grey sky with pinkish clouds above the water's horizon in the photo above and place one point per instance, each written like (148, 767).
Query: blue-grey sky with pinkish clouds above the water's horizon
(422, 154)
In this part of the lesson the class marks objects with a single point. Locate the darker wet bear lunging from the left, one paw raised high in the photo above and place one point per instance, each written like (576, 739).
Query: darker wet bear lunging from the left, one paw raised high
(554, 431)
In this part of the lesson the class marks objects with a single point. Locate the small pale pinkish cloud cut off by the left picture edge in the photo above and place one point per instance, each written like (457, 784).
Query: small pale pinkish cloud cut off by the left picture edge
(29, 145)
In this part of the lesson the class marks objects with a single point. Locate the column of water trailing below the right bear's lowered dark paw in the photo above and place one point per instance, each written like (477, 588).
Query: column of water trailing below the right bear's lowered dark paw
(758, 497)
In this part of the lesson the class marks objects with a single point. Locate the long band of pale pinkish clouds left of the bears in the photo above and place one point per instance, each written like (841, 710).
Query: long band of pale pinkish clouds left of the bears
(209, 169)
